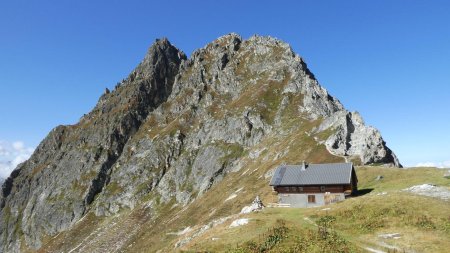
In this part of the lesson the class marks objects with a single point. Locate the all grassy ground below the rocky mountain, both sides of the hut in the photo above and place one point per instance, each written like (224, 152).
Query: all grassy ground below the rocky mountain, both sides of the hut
(354, 225)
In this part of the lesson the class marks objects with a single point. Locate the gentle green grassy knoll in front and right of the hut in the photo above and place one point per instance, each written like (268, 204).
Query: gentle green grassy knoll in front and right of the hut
(353, 225)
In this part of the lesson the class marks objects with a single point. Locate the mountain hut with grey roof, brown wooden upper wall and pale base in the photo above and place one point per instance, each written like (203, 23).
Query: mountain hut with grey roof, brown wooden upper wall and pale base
(310, 185)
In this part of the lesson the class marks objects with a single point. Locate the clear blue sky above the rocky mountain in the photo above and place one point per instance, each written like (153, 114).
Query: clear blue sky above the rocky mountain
(389, 60)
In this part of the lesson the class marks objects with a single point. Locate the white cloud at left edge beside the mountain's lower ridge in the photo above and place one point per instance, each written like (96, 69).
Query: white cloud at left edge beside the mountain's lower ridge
(12, 154)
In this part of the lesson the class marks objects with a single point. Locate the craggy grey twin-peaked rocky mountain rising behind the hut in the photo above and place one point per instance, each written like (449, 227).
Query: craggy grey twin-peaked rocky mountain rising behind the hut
(173, 129)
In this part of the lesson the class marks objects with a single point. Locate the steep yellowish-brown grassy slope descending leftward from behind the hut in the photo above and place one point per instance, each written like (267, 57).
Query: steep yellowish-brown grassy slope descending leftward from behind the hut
(152, 226)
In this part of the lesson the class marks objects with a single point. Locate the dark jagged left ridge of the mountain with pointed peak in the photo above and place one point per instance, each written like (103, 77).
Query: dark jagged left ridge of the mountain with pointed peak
(53, 189)
